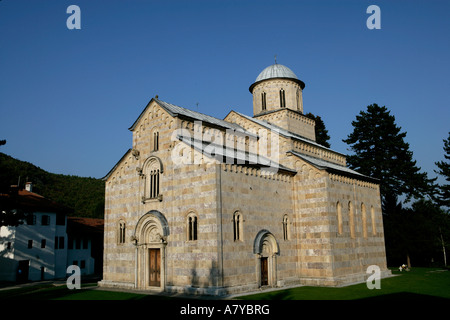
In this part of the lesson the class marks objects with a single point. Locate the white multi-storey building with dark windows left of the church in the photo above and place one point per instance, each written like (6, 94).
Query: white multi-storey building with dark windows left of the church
(38, 249)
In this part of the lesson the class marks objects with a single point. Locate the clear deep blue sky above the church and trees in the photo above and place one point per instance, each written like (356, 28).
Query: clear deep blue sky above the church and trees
(68, 97)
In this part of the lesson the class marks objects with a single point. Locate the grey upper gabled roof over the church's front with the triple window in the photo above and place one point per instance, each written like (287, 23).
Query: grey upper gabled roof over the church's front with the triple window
(177, 111)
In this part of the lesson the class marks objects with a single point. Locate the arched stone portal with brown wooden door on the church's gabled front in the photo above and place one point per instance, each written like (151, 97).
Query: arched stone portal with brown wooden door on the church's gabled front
(150, 238)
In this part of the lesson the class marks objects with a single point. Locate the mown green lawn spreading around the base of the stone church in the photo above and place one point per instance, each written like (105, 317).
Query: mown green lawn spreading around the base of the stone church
(419, 283)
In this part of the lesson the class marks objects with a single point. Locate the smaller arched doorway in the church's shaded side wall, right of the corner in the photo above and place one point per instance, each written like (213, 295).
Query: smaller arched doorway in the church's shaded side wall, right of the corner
(266, 249)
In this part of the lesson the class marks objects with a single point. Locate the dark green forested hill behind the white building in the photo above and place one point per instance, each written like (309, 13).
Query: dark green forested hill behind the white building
(86, 196)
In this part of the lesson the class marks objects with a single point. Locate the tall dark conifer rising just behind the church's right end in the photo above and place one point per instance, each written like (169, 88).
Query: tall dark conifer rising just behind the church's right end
(380, 151)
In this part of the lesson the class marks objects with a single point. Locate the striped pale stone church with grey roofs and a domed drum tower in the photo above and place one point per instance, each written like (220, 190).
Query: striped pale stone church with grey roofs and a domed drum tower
(208, 206)
